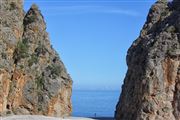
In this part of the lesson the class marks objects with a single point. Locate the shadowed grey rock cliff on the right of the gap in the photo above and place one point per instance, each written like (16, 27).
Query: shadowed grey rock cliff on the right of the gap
(151, 89)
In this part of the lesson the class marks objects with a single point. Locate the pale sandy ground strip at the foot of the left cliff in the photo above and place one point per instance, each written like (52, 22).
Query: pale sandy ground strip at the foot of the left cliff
(36, 117)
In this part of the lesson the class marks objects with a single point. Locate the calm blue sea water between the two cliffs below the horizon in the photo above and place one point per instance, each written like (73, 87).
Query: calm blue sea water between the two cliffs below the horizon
(89, 103)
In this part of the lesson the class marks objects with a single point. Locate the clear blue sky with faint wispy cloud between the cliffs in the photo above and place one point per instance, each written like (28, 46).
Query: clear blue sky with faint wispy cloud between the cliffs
(93, 36)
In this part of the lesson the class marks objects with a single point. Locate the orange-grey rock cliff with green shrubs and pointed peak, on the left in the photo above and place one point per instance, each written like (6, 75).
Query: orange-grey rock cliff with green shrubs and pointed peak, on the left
(33, 79)
